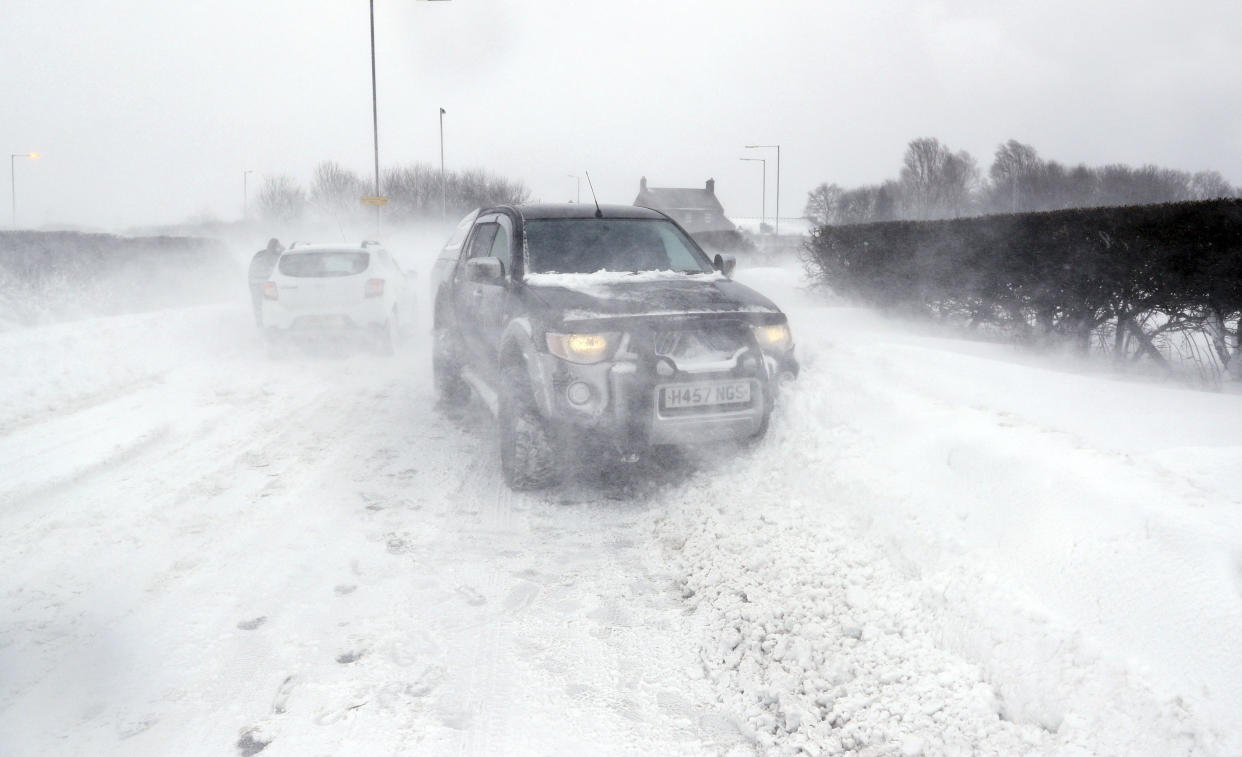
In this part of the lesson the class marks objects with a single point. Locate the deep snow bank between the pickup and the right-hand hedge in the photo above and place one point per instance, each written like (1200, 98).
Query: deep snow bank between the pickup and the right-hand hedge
(941, 549)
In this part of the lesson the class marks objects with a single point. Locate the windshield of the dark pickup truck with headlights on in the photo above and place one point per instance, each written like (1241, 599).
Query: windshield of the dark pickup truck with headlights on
(591, 245)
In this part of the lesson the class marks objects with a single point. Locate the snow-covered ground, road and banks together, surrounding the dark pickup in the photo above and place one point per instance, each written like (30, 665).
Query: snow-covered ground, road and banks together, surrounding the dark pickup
(942, 548)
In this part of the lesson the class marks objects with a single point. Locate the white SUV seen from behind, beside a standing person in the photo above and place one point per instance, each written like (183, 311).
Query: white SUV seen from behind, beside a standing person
(321, 291)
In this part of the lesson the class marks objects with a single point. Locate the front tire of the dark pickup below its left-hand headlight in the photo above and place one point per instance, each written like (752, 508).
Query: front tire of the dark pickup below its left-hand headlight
(528, 456)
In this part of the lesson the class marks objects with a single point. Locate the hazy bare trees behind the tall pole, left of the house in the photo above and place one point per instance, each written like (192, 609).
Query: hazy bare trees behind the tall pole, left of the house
(414, 193)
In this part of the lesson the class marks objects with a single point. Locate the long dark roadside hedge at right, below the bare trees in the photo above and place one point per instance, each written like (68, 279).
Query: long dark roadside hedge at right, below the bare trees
(1123, 280)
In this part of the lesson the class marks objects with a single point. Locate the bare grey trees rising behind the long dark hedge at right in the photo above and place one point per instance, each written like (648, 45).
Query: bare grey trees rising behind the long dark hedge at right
(938, 183)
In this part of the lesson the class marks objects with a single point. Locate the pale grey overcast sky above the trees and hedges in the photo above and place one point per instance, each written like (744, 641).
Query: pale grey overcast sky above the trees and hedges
(150, 112)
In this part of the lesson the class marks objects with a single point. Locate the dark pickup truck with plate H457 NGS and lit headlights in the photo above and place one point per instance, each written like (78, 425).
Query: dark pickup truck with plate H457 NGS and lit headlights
(601, 328)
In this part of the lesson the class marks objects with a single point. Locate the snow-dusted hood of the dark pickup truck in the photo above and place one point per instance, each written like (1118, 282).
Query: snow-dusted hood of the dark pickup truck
(613, 293)
